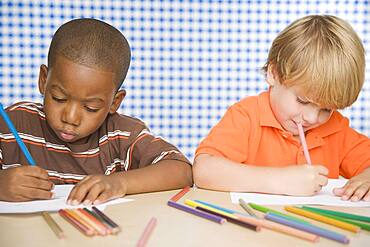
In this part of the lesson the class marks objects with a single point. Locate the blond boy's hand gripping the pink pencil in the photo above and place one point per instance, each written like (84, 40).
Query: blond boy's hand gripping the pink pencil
(304, 180)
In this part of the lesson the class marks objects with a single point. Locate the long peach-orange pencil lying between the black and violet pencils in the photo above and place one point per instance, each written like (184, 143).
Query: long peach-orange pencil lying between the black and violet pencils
(280, 228)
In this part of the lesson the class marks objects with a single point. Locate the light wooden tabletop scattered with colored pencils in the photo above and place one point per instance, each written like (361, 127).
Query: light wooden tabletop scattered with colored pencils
(174, 227)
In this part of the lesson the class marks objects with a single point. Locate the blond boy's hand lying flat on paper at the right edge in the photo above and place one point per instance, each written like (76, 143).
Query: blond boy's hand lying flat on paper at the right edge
(357, 188)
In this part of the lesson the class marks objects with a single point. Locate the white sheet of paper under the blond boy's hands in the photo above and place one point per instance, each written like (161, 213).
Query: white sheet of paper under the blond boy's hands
(324, 197)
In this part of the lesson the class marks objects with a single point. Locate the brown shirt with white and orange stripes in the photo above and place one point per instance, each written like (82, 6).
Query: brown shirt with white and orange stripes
(121, 143)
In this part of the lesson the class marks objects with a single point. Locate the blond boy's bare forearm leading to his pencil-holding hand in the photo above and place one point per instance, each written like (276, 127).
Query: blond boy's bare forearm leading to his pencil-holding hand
(220, 174)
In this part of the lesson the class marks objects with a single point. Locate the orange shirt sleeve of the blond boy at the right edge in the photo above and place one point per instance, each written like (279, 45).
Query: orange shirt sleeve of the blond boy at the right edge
(356, 153)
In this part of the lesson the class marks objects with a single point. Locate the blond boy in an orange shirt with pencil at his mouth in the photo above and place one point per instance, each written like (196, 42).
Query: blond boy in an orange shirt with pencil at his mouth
(316, 65)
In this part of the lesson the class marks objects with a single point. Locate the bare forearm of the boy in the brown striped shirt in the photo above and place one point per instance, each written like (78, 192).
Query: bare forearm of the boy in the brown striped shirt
(165, 175)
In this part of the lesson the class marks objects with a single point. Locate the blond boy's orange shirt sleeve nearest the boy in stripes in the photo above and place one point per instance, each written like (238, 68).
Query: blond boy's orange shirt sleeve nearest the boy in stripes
(229, 138)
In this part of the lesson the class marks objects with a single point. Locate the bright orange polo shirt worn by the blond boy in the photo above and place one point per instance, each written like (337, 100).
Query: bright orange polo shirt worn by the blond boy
(250, 134)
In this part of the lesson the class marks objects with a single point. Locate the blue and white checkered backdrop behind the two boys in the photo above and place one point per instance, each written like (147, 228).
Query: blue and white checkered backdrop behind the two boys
(190, 59)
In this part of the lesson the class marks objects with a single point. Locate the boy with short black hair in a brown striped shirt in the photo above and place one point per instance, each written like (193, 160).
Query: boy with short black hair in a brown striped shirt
(82, 139)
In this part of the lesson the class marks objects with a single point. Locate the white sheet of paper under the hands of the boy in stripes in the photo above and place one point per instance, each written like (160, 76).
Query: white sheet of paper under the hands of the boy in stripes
(59, 202)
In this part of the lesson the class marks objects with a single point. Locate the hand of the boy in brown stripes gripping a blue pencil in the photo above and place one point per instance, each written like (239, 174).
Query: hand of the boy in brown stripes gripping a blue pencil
(25, 183)
